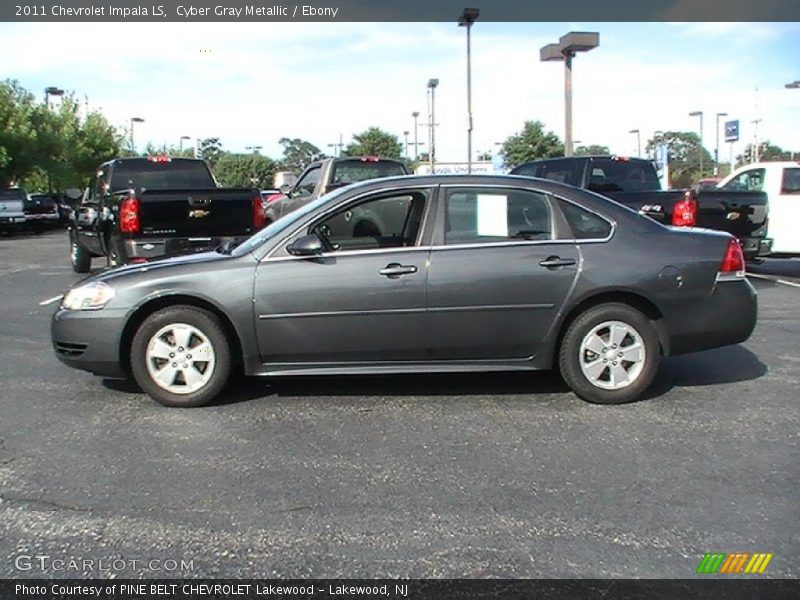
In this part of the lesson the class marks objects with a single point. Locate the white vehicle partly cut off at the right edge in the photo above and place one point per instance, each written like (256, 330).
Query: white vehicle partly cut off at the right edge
(781, 182)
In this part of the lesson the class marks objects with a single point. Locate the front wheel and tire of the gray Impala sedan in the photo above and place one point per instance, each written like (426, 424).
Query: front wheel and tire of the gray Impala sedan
(171, 334)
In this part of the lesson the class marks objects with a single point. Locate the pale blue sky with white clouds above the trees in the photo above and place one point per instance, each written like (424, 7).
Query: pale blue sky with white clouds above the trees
(253, 83)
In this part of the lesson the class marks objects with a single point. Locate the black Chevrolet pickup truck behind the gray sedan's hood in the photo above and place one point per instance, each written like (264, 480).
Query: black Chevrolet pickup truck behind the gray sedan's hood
(141, 209)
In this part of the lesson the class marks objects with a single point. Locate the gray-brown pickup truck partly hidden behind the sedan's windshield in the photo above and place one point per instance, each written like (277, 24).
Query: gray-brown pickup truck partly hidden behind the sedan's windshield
(325, 175)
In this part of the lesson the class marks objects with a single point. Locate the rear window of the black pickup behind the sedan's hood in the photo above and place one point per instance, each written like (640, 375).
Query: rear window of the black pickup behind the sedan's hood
(176, 174)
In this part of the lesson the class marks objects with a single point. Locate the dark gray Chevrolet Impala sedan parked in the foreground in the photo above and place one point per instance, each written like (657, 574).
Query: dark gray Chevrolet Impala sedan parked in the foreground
(435, 274)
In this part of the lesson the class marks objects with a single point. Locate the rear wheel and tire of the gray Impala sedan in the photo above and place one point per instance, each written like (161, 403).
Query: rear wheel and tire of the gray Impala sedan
(597, 337)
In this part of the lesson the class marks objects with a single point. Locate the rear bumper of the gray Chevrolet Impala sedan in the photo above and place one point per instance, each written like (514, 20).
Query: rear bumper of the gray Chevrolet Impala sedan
(727, 316)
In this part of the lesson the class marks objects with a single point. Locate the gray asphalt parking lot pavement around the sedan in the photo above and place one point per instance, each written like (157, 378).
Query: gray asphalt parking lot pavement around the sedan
(424, 476)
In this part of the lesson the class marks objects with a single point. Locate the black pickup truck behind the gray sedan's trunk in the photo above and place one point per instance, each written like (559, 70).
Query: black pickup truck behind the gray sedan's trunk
(634, 183)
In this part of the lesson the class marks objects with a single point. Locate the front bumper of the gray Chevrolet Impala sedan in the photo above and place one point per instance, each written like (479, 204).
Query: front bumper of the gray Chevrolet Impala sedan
(90, 340)
